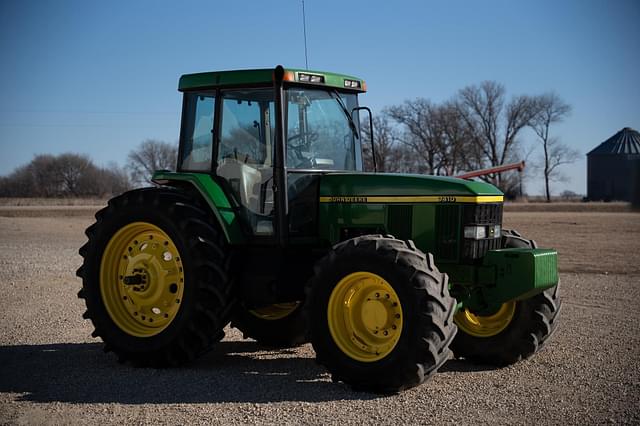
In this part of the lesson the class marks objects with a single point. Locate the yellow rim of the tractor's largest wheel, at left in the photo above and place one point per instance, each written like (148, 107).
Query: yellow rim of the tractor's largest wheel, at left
(141, 279)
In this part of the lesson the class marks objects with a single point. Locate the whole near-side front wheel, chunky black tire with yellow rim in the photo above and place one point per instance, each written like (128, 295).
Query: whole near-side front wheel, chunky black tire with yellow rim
(381, 317)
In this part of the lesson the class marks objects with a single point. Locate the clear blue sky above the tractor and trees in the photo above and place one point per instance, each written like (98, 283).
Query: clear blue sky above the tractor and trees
(100, 77)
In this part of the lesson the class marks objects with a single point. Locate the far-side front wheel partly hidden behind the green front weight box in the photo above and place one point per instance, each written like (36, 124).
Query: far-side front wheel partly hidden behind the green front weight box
(516, 331)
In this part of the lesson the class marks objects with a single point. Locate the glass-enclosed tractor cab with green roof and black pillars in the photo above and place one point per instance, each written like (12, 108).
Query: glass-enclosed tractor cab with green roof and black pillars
(264, 140)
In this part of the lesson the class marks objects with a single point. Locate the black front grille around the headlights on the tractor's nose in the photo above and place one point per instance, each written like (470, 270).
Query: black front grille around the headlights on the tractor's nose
(481, 214)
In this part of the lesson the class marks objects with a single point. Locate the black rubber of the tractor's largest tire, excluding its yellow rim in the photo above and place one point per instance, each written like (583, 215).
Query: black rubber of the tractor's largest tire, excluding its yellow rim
(213, 292)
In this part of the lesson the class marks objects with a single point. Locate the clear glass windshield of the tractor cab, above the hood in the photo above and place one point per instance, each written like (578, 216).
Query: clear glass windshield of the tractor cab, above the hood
(320, 134)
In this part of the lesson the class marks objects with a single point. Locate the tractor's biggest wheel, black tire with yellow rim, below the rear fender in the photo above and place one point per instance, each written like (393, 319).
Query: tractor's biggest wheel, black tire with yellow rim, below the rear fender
(155, 278)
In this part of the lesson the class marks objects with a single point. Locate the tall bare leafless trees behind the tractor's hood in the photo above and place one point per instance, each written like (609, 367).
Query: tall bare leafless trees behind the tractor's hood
(476, 129)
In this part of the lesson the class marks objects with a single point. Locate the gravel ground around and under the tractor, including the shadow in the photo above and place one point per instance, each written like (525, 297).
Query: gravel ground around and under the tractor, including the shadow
(53, 372)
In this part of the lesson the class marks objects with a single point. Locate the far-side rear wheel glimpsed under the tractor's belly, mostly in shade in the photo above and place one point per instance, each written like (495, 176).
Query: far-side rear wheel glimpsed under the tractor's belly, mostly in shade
(280, 325)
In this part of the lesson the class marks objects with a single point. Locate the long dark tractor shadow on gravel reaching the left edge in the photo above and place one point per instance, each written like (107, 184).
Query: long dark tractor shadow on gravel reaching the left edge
(235, 371)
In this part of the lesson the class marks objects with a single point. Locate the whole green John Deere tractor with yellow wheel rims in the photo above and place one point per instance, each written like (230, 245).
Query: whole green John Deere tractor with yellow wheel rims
(271, 224)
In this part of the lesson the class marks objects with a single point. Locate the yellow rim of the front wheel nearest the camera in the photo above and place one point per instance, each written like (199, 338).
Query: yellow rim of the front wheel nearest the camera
(365, 316)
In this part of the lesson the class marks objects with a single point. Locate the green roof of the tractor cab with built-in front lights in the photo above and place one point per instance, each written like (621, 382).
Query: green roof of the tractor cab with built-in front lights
(216, 79)
